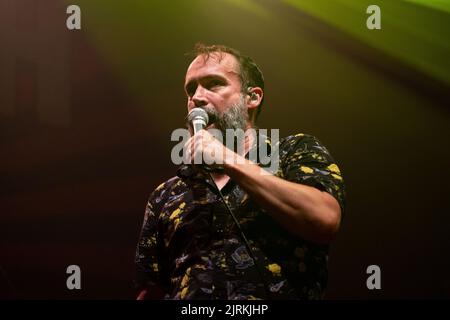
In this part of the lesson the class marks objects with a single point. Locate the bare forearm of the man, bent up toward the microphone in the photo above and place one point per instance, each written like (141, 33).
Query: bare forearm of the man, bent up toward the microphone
(303, 210)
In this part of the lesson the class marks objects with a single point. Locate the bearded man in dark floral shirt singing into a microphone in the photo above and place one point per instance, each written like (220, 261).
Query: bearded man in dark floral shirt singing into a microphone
(190, 245)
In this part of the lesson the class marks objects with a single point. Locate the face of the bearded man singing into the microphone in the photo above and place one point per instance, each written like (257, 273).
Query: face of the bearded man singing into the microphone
(215, 86)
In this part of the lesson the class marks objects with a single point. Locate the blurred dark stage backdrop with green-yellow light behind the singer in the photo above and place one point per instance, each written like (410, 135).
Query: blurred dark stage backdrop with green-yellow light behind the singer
(86, 117)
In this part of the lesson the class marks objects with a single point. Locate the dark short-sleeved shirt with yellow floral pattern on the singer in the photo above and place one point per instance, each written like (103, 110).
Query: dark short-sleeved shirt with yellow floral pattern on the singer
(190, 246)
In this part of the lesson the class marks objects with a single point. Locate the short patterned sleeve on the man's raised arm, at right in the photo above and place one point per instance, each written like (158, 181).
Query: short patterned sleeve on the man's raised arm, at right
(303, 159)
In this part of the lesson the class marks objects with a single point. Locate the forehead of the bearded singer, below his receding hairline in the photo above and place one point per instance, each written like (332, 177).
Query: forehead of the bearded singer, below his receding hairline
(221, 63)
